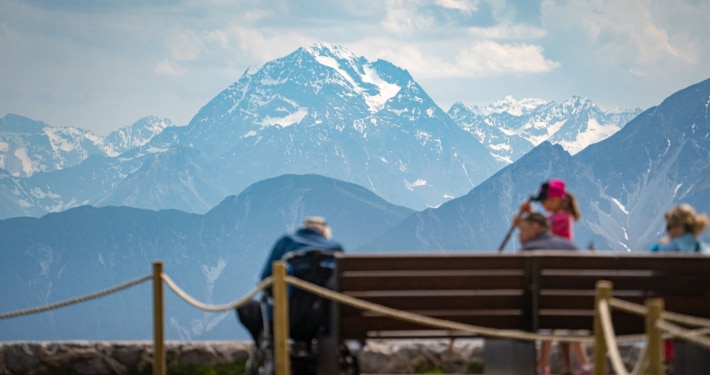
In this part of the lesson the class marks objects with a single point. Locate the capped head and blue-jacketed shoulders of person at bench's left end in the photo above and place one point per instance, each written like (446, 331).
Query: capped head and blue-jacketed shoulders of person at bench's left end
(313, 234)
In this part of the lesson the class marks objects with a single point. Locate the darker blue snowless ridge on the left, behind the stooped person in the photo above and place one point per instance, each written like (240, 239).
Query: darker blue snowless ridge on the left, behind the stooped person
(215, 257)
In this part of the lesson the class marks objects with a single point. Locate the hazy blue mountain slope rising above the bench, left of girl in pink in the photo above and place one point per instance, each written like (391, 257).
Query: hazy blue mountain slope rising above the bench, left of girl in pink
(479, 220)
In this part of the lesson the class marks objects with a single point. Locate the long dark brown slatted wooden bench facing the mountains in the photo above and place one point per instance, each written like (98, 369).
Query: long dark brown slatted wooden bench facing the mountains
(524, 291)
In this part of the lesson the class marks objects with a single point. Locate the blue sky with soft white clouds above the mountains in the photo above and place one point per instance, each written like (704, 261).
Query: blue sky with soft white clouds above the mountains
(103, 64)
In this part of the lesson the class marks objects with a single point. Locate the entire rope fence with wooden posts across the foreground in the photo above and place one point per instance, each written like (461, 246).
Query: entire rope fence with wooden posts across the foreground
(659, 324)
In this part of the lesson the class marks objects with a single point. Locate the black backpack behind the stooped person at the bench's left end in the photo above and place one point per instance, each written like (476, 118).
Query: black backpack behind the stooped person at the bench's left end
(309, 313)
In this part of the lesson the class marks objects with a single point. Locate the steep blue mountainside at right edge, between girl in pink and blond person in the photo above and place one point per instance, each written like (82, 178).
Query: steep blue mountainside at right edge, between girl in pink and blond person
(659, 159)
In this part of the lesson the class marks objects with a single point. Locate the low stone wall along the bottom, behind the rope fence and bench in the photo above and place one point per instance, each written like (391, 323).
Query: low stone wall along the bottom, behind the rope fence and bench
(97, 358)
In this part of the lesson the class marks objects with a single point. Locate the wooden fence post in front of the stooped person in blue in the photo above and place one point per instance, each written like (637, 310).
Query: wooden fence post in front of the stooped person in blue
(281, 328)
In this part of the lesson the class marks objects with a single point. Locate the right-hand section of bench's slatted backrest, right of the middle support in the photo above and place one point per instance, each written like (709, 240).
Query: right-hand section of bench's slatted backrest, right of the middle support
(565, 286)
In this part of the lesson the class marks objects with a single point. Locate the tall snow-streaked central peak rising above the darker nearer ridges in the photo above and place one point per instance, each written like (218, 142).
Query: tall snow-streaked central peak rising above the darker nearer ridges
(325, 103)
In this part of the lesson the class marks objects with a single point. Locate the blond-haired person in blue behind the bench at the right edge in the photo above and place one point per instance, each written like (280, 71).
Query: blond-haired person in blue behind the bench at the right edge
(683, 227)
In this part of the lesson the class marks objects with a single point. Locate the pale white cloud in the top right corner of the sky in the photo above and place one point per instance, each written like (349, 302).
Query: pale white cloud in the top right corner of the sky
(643, 34)
